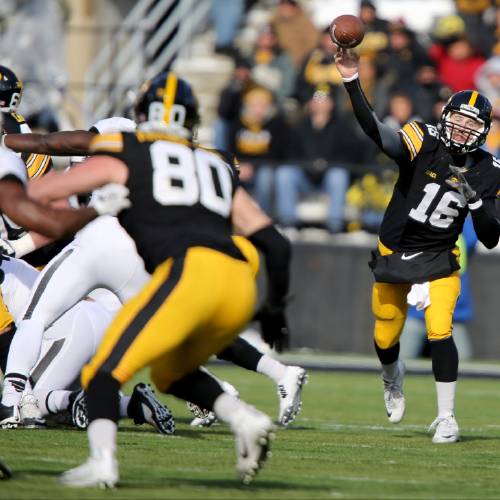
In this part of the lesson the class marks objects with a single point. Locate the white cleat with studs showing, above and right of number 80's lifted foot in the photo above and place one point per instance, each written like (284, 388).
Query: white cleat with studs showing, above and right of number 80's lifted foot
(289, 392)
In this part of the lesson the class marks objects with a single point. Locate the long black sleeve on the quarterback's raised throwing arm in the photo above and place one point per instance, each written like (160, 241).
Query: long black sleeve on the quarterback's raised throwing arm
(387, 139)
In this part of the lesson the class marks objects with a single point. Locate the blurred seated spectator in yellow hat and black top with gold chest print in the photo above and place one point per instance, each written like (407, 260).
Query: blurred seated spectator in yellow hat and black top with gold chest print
(258, 139)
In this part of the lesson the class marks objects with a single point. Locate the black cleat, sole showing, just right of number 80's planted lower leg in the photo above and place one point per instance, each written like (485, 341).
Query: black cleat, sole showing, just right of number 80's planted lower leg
(144, 407)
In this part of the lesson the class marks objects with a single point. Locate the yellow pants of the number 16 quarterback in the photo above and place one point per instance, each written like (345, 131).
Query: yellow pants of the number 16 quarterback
(389, 306)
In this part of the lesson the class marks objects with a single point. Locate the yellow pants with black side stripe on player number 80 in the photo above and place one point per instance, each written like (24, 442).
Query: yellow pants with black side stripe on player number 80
(191, 308)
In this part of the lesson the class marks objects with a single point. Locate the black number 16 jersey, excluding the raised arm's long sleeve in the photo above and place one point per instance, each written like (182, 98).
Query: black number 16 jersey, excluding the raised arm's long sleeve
(425, 213)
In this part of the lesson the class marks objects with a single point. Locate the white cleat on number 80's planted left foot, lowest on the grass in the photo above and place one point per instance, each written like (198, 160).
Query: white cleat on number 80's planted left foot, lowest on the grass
(99, 471)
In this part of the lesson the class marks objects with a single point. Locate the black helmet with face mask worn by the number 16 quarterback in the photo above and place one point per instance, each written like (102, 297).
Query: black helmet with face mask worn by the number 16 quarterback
(471, 104)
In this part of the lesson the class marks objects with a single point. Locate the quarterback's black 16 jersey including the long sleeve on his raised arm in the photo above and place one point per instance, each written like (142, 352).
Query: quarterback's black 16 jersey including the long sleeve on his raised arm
(425, 213)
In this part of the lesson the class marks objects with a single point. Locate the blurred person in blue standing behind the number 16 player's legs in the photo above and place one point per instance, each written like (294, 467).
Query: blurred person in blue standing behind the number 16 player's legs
(413, 340)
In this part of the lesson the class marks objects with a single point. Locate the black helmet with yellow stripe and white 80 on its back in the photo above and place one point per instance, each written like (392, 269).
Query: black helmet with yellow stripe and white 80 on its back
(169, 100)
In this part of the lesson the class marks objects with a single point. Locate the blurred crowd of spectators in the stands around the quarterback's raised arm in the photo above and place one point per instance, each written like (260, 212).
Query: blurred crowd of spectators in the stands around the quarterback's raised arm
(286, 116)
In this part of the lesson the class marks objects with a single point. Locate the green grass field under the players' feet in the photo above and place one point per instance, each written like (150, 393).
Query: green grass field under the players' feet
(341, 446)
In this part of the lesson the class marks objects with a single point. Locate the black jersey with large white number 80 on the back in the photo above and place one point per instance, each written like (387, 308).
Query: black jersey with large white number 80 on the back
(181, 194)
